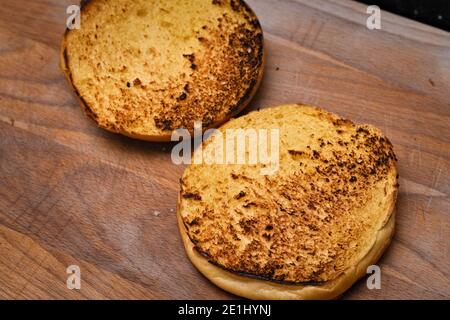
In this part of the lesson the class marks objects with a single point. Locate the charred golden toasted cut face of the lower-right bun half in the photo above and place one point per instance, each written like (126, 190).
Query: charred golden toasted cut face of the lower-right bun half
(310, 221)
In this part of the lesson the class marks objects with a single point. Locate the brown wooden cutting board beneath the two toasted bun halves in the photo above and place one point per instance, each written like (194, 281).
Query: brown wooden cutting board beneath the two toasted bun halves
(72, 194)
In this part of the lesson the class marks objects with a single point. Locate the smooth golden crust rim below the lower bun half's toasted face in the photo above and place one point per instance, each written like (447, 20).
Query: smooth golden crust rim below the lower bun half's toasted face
(256, 289)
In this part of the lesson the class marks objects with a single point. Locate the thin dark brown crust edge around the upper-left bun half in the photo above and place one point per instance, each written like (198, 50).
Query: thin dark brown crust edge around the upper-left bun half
(162, 137)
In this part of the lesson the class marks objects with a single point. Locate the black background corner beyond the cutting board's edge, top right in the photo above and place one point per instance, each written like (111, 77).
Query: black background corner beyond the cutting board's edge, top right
(433, 12)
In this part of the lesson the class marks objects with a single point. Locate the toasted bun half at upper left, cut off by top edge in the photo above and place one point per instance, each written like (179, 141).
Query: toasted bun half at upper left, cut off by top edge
(144, 68)
